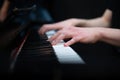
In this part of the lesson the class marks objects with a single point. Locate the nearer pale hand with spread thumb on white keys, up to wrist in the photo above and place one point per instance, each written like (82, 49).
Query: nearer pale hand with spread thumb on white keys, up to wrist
(76, 34)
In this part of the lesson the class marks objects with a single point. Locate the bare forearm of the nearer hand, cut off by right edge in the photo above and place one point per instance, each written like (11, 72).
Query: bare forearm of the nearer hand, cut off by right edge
(111, 36)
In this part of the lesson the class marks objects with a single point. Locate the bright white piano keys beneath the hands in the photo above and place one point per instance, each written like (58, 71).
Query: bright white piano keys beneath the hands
(65, 55)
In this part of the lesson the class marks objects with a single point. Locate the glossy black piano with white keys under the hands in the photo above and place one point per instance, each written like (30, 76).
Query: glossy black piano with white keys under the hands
(24, 54)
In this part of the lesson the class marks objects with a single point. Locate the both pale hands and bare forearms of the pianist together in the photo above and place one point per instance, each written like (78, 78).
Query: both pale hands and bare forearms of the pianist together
(84, 30)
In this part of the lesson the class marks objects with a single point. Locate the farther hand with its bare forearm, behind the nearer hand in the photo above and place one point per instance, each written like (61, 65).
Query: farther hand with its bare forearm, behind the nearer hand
(103, 21)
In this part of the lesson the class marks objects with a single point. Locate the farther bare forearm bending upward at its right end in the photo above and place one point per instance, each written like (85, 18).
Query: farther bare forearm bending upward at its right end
(102, 21)
